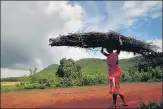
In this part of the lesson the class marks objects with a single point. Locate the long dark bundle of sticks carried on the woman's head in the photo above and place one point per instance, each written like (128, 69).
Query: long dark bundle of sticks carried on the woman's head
(105, 40)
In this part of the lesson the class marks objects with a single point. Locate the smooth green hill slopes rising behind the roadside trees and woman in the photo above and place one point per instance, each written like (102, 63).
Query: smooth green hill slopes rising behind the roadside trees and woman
(91, 65)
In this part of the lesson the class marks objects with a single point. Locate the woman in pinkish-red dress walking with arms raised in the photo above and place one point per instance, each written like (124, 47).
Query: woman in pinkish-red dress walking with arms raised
(115, 74)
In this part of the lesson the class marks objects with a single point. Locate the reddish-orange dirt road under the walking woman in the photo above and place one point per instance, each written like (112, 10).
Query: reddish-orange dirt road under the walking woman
(81, 97)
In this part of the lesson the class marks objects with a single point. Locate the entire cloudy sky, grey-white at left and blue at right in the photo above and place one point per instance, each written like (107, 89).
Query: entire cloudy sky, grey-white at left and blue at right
(26, 27)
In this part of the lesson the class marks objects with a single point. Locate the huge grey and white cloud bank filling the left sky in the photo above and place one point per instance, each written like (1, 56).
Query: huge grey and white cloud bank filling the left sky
(27, 27)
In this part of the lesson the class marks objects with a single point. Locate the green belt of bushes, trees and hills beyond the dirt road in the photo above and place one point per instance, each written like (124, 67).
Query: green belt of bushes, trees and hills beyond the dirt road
(82, 73)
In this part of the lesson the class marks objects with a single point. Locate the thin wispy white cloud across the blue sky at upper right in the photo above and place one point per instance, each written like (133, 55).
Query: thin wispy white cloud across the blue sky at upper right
(123, 14)
